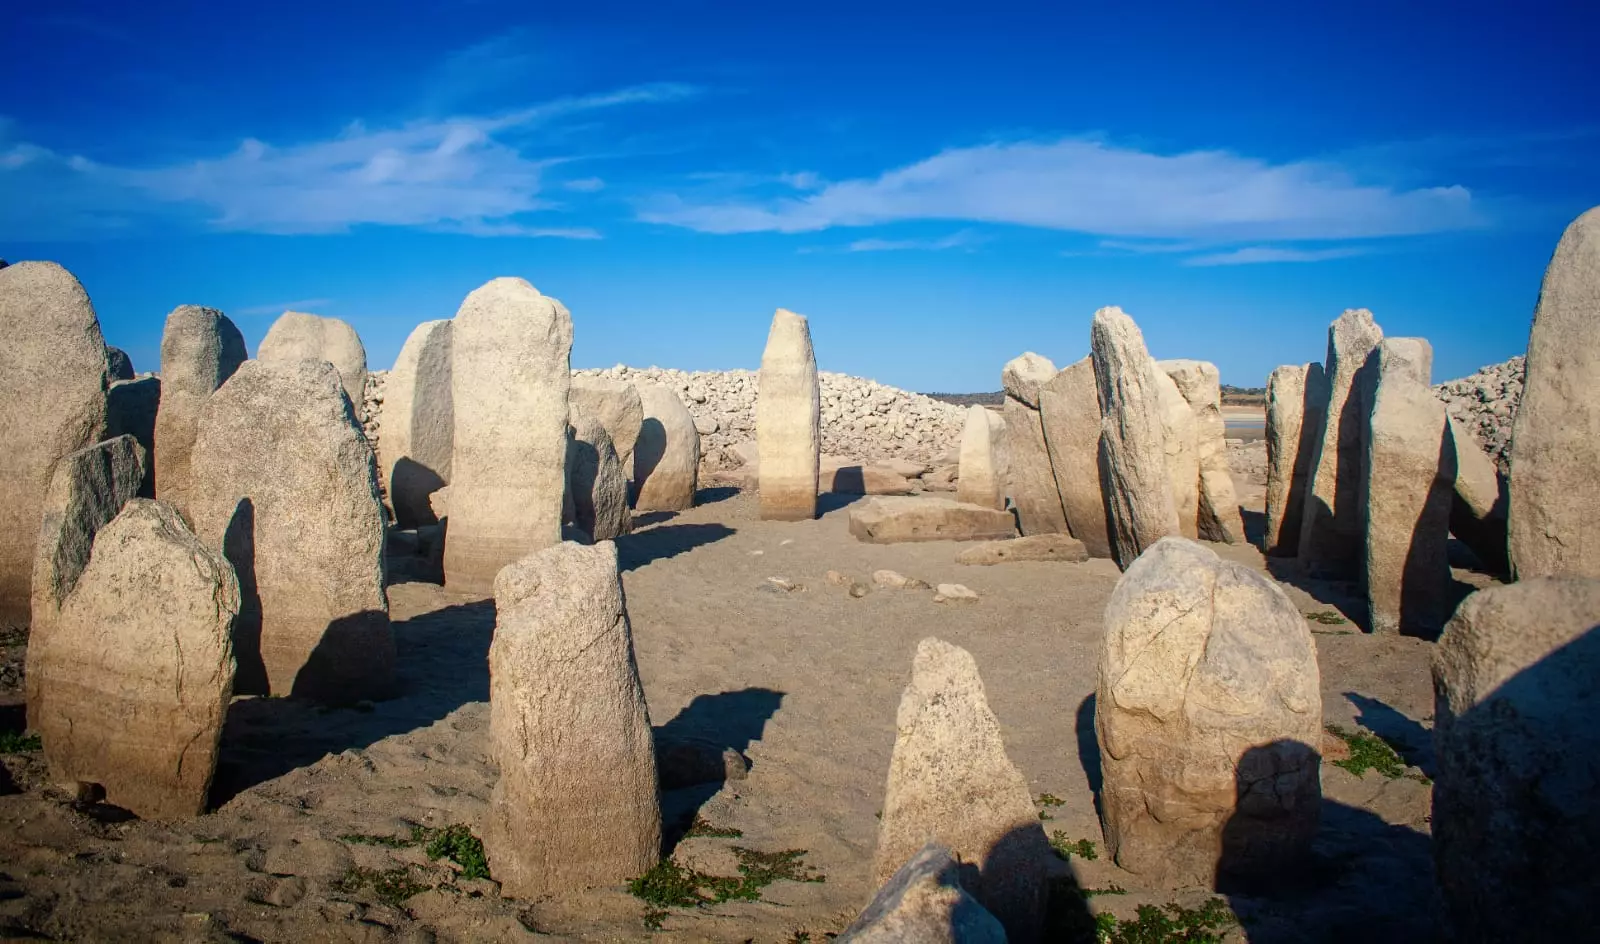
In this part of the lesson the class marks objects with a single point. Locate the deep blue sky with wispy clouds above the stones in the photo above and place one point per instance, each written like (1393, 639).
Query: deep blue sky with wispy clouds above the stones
(938, 186)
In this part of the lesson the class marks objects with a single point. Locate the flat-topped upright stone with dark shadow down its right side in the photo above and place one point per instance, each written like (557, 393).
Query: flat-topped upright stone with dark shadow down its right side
(1410, 476)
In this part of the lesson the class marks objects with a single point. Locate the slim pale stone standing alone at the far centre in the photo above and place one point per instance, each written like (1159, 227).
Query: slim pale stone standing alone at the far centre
(788, 422)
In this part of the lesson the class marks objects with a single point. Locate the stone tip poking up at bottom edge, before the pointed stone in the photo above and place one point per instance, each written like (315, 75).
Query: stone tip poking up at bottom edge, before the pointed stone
(924, 903)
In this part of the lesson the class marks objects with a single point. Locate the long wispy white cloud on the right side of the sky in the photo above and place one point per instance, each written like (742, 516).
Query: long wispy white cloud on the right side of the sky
(1097, 188)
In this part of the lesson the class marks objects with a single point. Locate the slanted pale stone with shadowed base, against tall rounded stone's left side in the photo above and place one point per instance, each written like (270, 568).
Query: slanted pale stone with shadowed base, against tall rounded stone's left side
(420, 423)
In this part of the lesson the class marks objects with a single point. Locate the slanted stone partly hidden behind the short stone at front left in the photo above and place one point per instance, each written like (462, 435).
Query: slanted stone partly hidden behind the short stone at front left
(89, 490)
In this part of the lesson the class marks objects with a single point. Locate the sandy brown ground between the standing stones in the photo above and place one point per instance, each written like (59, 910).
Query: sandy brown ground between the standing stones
(804, 682)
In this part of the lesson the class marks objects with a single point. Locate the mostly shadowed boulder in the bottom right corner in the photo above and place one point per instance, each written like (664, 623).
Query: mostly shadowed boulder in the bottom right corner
(1518, 791)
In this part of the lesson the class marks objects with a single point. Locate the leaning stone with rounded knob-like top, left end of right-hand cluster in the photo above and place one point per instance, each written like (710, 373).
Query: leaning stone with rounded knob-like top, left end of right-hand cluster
(1033, 482)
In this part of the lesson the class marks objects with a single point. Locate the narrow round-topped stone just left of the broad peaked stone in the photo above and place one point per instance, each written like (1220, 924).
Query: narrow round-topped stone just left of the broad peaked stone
(201, 350)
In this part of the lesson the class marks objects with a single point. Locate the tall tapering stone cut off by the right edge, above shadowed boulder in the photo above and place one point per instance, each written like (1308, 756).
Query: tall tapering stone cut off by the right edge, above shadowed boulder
(1556, 439)
